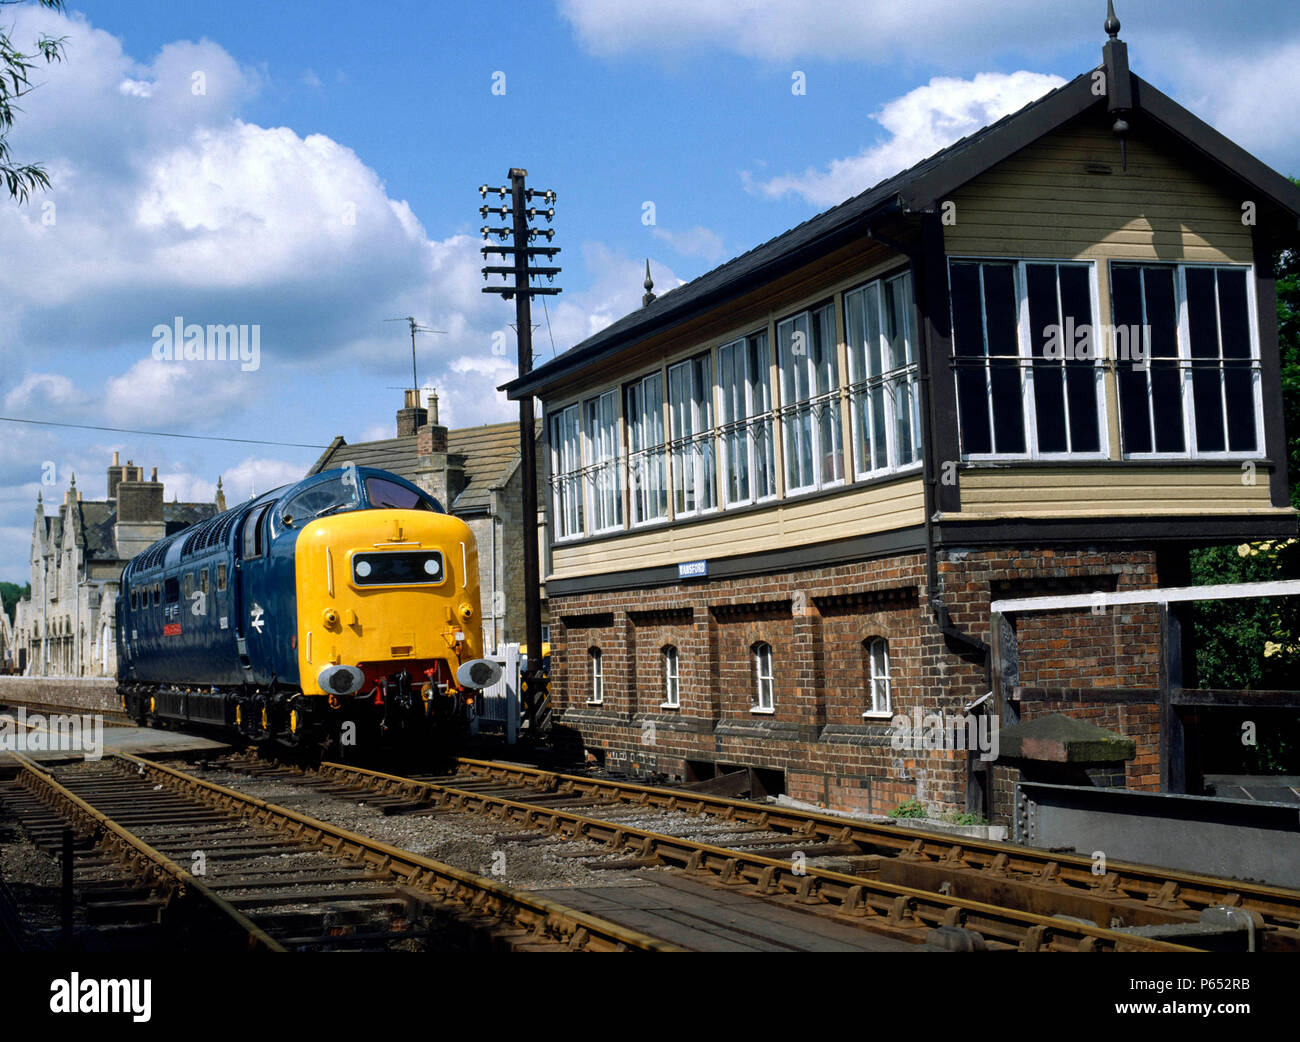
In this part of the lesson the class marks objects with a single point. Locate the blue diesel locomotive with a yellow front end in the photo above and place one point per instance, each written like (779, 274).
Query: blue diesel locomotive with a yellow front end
(340, 610)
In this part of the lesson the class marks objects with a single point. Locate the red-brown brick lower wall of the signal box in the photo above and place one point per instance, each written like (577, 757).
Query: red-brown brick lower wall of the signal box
(820, 623)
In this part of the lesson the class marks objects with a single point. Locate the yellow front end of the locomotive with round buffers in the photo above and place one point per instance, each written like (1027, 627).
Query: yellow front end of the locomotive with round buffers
(389, 627)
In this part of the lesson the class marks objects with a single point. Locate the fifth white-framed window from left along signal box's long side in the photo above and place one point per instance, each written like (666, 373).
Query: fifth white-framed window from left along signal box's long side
(747, 433)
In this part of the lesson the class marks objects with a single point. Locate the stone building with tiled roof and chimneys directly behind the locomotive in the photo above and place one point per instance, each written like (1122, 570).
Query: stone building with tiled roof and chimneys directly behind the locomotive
(475, 474)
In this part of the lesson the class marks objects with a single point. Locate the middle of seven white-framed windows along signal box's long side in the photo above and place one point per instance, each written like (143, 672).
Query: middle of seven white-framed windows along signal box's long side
(694, 437)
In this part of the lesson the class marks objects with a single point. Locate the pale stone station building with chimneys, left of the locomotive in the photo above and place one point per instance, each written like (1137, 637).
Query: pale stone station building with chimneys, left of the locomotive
(66, 627)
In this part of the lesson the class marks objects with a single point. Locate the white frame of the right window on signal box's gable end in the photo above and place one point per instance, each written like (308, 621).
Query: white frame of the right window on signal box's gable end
(1185, 361)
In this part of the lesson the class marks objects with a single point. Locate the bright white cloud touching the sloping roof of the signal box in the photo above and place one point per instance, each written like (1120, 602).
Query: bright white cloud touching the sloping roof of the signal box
(918, 125)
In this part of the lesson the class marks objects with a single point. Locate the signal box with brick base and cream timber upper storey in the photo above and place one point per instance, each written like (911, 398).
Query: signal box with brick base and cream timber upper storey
(785, 497)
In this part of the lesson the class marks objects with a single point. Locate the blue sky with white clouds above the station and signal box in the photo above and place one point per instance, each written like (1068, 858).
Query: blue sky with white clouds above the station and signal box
(324, 179)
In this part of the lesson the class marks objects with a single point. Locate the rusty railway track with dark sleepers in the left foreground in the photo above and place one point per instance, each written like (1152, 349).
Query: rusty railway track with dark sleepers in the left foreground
(263, 878)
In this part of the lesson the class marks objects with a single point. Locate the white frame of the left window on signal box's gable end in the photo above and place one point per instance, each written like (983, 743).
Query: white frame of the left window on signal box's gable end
(1025, 359)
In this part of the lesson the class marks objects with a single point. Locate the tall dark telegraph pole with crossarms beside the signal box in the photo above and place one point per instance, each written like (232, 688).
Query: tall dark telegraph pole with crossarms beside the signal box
(523, 271)
